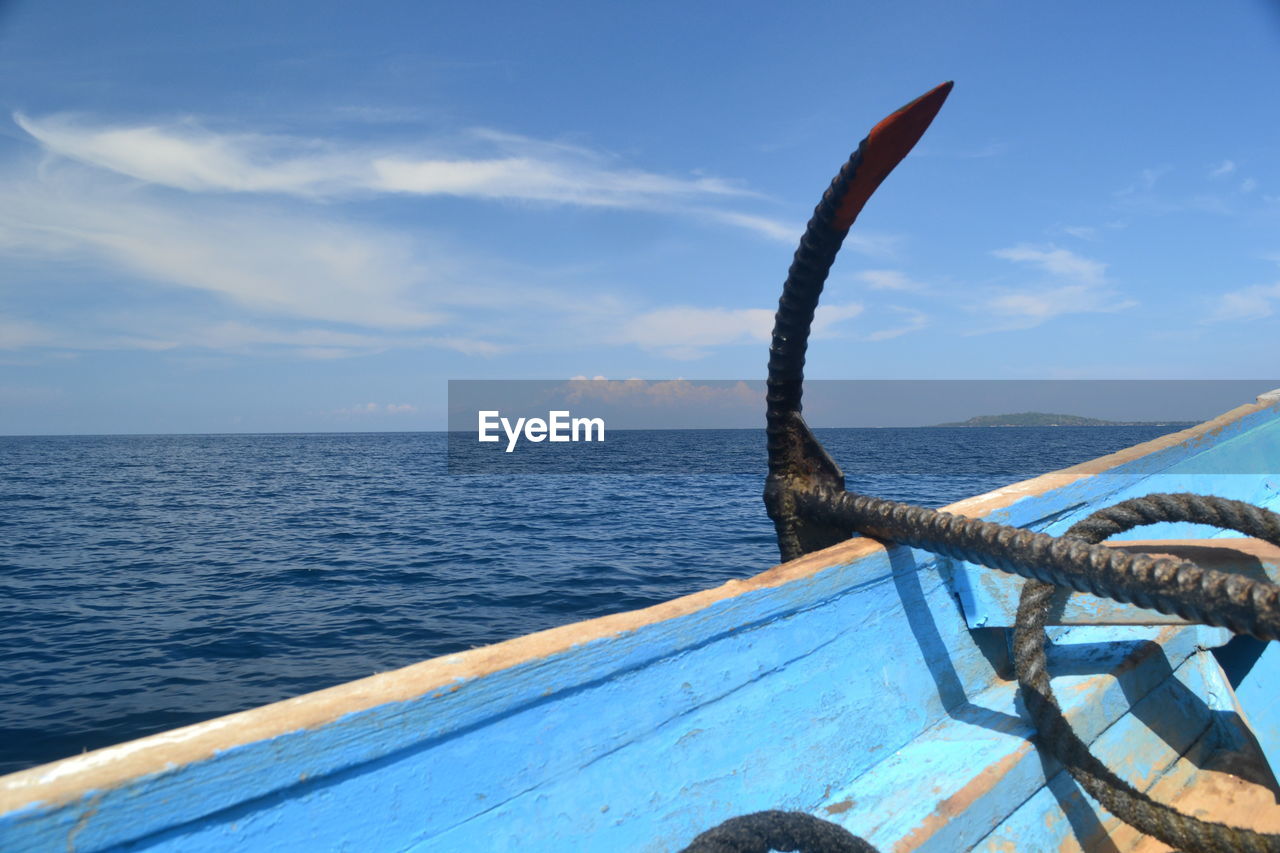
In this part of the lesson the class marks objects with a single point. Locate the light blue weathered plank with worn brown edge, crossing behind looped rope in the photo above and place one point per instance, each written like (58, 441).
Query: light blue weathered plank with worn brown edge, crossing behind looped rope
(966, 776)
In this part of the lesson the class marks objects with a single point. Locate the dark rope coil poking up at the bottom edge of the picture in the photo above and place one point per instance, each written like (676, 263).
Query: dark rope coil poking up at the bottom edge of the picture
(787, 832)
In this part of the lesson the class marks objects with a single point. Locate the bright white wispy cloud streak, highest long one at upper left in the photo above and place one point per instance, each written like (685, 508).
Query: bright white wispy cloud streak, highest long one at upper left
(189, 157)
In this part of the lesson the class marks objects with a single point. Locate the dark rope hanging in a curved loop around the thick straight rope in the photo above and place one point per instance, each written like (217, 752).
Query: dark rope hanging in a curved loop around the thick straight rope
(1055, 735)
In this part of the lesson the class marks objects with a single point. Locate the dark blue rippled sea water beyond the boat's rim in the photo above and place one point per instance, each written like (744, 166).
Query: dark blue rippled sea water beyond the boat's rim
(150, 582)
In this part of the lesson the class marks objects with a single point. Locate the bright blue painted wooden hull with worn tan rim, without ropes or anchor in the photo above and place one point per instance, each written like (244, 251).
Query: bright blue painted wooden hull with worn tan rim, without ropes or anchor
(862, 685)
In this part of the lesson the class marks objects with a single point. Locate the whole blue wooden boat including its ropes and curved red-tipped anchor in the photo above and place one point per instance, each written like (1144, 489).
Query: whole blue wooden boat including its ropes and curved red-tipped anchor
(868, 683)
